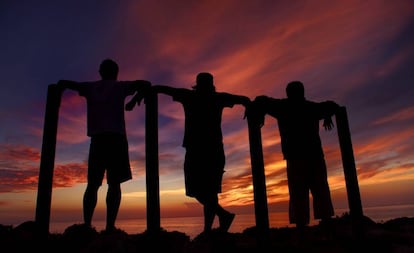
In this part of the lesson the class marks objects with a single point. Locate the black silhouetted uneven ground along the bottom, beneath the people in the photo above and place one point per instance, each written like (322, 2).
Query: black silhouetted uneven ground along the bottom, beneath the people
(344, 236)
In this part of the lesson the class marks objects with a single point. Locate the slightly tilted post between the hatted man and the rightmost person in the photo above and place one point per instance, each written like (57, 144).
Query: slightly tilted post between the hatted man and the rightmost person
(259, 180)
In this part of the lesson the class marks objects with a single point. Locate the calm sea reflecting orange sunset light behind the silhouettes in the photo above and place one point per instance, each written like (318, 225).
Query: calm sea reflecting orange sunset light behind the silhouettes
(192, 226)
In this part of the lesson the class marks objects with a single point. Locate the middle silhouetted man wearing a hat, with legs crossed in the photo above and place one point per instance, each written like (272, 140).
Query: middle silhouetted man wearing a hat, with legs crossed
(203, 140)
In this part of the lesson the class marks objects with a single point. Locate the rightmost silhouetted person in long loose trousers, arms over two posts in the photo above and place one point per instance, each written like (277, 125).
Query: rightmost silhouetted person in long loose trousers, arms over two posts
(298, 120)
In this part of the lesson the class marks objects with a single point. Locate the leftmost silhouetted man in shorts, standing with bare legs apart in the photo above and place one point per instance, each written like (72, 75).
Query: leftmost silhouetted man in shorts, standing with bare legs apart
(108, 150)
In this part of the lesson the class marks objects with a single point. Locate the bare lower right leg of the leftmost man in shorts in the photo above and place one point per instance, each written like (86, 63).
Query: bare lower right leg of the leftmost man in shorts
(113, 201)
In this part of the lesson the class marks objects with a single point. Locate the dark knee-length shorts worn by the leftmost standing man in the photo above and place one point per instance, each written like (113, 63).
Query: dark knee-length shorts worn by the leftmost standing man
(108, 152)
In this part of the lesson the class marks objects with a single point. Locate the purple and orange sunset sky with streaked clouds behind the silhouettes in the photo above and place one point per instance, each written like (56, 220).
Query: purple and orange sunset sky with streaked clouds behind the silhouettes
(357, 53)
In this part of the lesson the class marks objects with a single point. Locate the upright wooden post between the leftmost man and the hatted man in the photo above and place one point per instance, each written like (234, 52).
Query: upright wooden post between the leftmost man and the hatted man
(152, 174)
